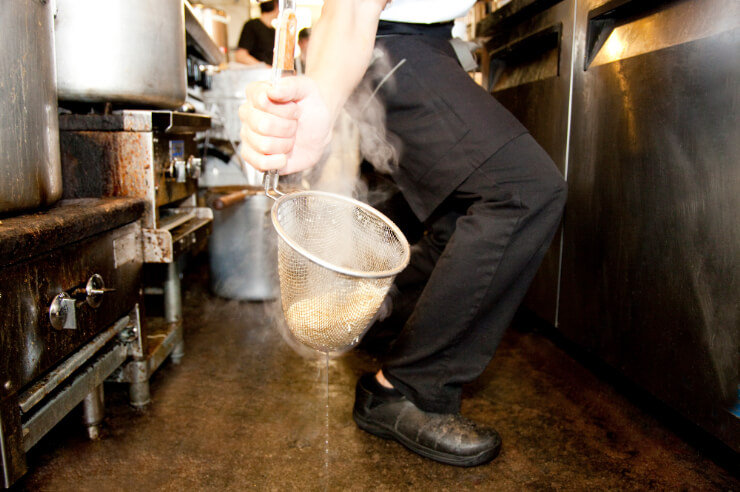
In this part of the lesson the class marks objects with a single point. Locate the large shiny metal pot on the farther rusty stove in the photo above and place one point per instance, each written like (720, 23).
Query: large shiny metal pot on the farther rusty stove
(121, 51)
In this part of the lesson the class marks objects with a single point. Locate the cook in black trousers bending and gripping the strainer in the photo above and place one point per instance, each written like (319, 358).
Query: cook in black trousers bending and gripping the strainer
(489, 197)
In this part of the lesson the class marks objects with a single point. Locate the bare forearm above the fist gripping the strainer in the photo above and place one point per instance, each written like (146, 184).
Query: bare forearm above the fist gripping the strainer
(342, 43)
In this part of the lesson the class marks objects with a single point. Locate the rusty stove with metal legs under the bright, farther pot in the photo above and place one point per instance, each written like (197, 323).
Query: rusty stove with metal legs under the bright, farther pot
(149, 154)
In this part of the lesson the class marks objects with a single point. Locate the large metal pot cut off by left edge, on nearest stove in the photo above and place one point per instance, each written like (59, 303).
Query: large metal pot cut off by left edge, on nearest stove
(30, 169)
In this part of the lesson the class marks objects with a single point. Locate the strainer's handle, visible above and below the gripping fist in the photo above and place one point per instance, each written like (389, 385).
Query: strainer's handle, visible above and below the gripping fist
(283, 63)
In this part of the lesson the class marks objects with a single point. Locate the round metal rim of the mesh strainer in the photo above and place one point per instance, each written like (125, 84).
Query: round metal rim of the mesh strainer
(351, 272)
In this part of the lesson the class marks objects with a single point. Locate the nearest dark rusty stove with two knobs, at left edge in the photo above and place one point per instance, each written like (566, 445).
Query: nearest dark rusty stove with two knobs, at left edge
(69, 316)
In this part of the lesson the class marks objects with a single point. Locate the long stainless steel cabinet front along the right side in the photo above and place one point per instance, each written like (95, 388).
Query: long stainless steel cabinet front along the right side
(650, 270)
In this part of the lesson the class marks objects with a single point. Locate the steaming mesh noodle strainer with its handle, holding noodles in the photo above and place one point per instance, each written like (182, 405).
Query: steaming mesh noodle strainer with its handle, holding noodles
(337, 257)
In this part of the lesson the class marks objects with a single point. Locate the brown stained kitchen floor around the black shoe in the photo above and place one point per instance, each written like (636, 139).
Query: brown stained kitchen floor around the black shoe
(245, 411)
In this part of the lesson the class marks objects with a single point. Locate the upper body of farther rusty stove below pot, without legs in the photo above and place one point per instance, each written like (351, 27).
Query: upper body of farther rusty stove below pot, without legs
(146, 154)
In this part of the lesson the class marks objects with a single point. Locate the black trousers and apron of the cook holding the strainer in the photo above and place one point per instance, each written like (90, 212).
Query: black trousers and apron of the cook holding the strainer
(491, 200)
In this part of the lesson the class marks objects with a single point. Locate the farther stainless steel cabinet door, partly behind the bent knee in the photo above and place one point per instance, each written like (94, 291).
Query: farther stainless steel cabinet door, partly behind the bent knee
(528, 69)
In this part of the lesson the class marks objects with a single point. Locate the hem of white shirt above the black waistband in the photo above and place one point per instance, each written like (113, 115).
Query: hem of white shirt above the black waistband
(425, 11)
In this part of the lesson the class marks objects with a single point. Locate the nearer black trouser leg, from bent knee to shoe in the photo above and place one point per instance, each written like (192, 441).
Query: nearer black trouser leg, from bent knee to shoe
(481, 277)
